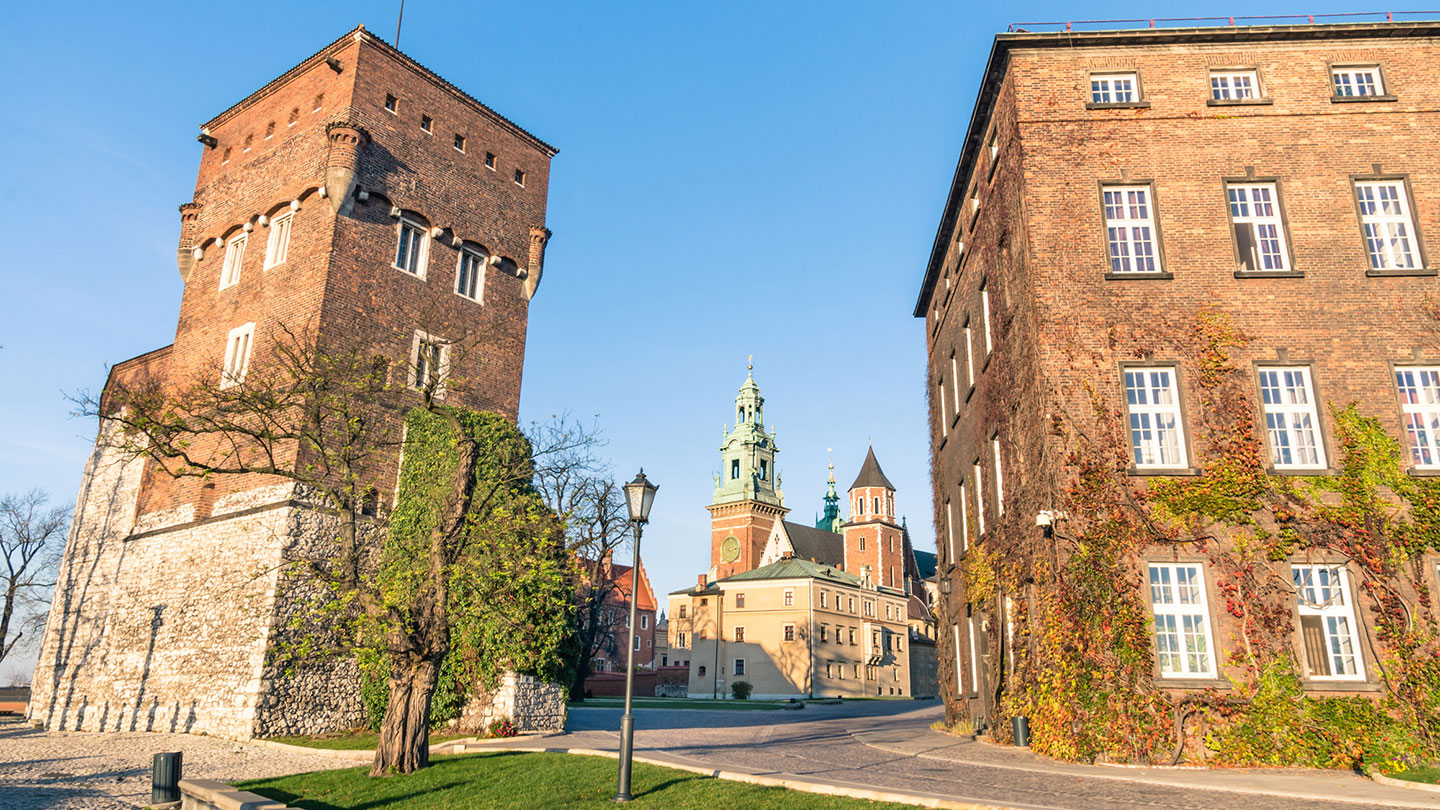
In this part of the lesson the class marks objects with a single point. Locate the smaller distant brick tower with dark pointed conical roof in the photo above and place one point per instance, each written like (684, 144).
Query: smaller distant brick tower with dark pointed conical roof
(875, 543)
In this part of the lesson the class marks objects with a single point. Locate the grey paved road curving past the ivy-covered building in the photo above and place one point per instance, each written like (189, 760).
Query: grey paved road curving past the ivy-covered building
(888, 746)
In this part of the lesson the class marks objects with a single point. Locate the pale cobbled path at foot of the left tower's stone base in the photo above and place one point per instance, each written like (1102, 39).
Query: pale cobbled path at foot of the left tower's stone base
(112, 772)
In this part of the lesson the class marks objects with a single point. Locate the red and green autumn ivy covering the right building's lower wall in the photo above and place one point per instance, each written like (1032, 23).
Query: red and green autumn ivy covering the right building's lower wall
(1082, 664)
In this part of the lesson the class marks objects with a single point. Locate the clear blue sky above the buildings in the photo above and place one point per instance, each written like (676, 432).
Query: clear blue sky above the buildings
(734, 179)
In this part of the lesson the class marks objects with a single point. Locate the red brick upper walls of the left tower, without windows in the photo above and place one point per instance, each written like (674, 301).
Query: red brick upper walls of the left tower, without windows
(273, 155)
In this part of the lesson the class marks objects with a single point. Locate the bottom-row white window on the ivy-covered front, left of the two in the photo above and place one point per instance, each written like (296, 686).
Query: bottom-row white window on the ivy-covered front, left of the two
(1182, 613)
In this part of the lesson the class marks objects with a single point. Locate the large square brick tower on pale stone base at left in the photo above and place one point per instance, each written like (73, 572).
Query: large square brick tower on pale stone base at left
(359, 201)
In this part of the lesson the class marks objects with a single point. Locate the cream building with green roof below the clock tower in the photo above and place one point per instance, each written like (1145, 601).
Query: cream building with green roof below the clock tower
(793, 629)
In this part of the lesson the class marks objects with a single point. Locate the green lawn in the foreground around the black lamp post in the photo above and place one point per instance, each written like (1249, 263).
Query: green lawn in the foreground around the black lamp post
(536, 782)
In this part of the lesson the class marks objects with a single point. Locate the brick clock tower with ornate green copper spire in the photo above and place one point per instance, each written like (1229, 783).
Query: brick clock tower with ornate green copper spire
(748, 499)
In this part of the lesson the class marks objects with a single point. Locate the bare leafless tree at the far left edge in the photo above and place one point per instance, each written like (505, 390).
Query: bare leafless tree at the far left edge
(32, 540)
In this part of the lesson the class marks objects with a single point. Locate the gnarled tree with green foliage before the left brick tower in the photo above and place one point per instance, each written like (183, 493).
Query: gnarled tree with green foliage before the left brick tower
(466, 553)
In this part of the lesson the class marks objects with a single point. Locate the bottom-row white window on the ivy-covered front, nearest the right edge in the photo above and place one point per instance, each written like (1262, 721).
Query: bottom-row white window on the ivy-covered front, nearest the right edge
(1328, 623)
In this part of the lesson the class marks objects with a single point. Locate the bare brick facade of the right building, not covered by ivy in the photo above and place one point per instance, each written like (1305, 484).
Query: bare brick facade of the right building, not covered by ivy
(1025, 228)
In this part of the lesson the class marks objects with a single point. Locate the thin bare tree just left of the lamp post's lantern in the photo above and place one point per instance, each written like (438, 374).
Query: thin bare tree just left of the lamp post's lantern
(584, 492)
